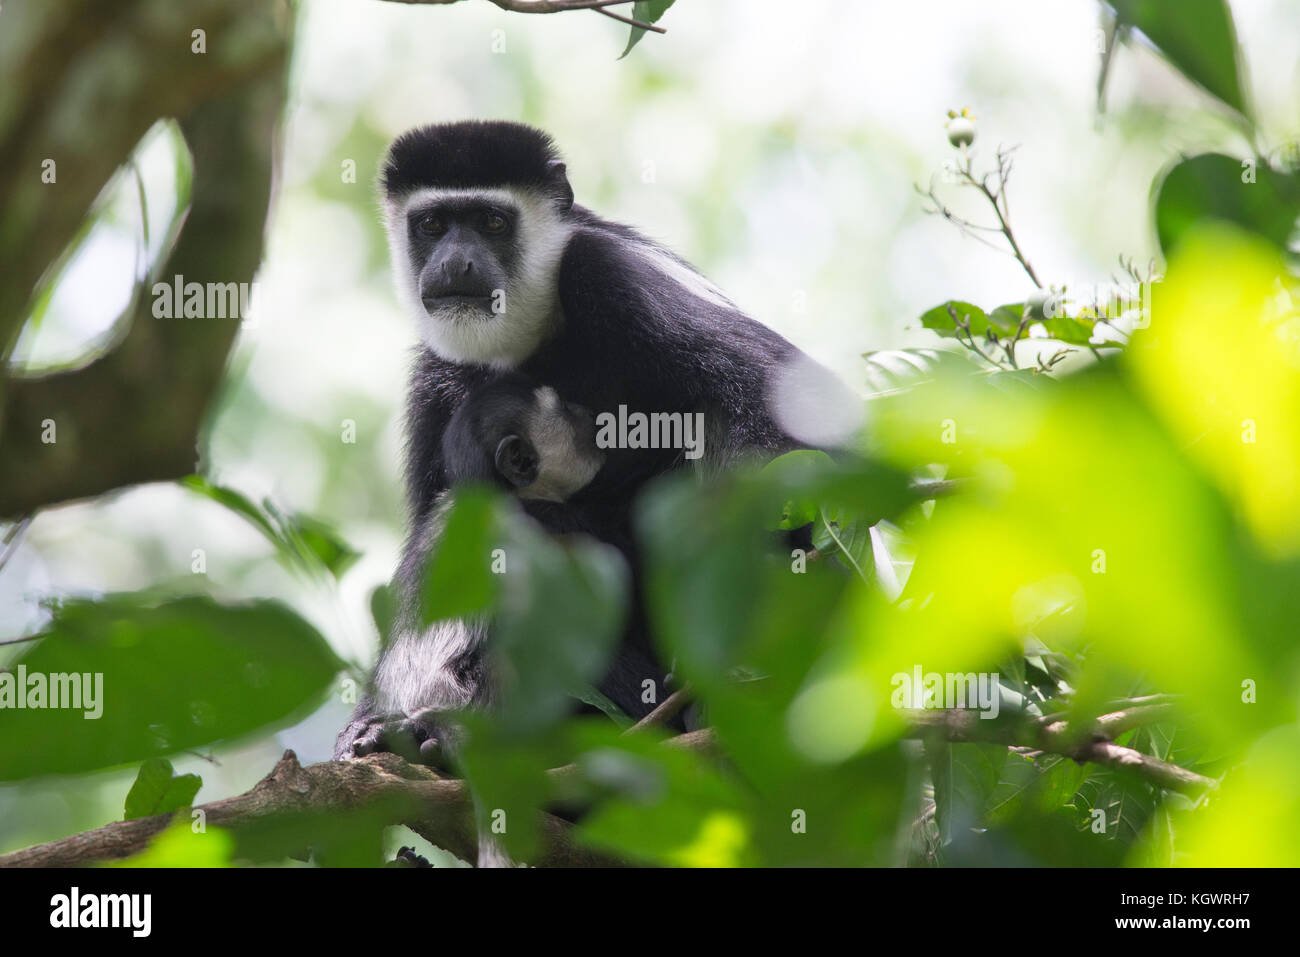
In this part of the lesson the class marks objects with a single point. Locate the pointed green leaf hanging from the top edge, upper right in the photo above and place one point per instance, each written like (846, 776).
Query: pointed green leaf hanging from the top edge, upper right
(1198, 37)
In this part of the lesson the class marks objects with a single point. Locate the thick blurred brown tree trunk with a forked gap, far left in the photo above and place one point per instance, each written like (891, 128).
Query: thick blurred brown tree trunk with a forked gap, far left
(135, 414)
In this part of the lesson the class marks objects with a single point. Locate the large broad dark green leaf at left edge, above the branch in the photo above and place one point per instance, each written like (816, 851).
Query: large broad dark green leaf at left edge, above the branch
(155, 681)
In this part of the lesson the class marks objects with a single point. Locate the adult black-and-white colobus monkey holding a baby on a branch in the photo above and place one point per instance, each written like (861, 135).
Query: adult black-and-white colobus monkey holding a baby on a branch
(504, 272)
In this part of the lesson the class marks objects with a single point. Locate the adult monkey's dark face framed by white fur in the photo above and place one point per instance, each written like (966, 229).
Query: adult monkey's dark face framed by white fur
(478, 270)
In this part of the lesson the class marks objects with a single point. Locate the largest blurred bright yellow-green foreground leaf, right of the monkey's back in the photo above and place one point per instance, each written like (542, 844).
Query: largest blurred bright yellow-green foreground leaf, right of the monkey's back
(1086, 527)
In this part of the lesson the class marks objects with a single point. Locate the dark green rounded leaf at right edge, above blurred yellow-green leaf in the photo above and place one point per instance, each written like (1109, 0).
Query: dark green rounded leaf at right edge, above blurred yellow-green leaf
(1214, 187)
